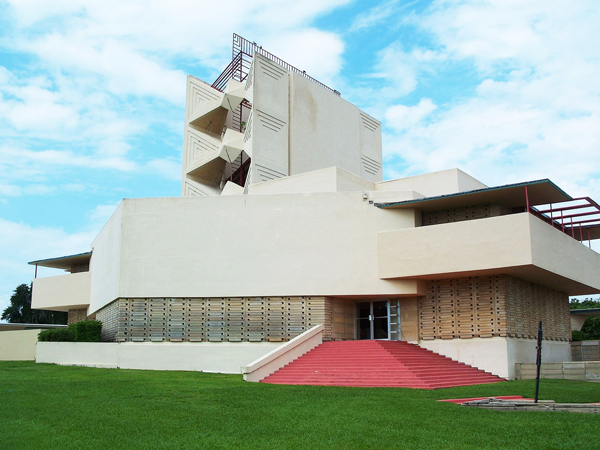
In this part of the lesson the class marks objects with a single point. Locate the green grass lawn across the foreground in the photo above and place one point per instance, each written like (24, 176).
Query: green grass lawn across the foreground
(45, 406)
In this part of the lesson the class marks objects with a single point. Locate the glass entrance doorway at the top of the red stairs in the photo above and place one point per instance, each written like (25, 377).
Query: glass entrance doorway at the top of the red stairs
(378, 319)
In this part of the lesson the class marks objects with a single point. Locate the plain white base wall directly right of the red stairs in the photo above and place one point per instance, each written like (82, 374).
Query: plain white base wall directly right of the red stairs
(498, 355)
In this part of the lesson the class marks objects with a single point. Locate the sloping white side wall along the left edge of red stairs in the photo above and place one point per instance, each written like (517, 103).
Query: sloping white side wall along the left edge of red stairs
(284, 354)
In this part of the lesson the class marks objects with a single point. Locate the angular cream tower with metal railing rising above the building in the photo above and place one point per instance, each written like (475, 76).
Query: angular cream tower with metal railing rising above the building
(264, 119)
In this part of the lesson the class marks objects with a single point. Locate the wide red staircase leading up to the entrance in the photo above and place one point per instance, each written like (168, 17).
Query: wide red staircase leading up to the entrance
(378, 363)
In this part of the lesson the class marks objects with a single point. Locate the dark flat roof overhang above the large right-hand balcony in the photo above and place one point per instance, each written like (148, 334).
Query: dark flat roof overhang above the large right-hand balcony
(540, 192)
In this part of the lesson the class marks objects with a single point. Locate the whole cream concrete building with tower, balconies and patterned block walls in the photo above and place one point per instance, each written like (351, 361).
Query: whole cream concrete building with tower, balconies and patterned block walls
(285, 223)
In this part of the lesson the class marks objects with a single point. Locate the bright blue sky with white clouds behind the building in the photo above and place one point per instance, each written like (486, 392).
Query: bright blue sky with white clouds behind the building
(92, 96)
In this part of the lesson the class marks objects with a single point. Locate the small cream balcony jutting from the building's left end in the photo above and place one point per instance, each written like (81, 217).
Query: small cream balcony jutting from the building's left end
(61, 293)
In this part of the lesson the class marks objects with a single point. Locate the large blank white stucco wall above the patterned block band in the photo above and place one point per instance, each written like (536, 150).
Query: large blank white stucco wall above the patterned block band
(254, 245)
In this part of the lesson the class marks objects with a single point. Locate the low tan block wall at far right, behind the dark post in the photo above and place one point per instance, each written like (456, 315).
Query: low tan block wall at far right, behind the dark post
(568, 370)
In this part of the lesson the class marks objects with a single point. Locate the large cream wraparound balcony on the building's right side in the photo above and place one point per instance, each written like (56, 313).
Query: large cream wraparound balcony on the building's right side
(521, 245)
